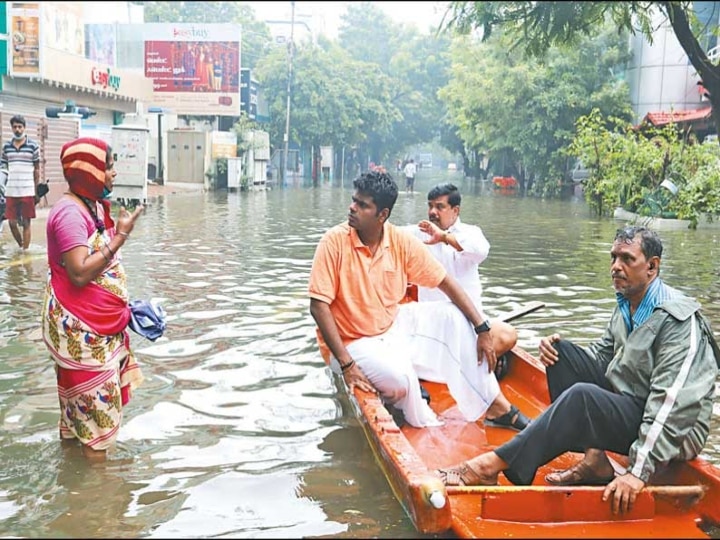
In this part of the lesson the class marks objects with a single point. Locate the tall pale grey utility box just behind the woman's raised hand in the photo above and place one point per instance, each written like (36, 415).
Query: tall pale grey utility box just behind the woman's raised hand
(130, 146)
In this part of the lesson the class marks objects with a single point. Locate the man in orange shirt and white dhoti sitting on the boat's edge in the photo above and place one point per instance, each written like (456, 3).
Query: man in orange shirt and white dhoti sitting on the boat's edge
(359, 276)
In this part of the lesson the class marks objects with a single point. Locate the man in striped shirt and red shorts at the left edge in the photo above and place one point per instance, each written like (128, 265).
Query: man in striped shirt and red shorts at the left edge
(20, 161)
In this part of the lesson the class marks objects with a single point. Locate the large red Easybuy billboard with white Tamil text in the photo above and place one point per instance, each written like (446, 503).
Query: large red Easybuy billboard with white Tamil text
(195, 68)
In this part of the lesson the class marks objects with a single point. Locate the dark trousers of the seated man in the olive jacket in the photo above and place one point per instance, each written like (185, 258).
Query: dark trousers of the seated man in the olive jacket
(584, 413)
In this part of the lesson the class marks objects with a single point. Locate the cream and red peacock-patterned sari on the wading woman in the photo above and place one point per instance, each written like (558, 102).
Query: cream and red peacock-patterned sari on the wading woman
(85, 330)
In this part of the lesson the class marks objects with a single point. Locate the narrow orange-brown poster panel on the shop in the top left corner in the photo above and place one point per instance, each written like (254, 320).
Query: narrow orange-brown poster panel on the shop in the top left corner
(24, 42)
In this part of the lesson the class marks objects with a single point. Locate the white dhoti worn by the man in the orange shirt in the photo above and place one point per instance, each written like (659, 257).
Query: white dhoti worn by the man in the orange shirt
(431, 341)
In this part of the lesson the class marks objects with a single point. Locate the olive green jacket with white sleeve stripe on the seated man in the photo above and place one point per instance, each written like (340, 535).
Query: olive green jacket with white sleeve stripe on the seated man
(671, 362)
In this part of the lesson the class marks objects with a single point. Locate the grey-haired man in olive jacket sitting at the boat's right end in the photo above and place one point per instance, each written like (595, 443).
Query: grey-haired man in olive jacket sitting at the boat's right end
(645, 389)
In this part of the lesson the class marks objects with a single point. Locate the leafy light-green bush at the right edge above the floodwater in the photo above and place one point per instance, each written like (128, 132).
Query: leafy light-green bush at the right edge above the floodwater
(630, 167)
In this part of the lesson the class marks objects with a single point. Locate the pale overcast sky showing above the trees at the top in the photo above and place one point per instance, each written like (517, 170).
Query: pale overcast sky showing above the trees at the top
(421, 14)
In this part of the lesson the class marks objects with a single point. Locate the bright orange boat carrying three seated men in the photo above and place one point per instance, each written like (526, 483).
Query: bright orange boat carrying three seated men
(682, 502)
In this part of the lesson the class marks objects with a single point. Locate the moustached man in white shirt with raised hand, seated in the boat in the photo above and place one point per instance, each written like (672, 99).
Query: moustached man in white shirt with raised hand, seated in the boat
(460, 248)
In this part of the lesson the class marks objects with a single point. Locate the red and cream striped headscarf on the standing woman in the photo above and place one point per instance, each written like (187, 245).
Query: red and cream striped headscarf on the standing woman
(83, 162)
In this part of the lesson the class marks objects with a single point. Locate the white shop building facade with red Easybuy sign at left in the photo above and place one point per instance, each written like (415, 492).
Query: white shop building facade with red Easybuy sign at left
(46, 70)
